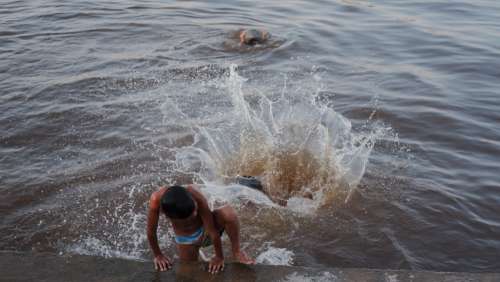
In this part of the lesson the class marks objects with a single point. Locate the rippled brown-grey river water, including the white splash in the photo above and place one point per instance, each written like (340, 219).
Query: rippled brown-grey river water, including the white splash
(377, 122)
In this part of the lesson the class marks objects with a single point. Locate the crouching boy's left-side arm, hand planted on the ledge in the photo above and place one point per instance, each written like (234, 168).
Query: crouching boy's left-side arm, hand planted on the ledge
(161, 262)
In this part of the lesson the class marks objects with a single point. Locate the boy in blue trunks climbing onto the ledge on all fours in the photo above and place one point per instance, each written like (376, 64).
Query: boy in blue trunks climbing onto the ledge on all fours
(195, 226)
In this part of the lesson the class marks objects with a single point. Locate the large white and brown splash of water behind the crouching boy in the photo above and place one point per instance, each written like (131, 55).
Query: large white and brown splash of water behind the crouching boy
(303, 151)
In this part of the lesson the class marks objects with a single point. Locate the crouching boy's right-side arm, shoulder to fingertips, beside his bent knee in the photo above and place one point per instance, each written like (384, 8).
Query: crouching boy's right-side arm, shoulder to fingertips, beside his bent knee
(208, 223)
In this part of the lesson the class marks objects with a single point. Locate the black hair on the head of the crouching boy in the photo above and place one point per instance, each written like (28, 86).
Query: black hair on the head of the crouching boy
(177, 202)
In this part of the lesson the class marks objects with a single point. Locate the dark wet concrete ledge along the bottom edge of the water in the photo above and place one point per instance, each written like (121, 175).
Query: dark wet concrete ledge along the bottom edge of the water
(48, 267)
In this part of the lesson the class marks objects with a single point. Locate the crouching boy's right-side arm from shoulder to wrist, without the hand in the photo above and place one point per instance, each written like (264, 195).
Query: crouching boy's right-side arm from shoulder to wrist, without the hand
(208, 221)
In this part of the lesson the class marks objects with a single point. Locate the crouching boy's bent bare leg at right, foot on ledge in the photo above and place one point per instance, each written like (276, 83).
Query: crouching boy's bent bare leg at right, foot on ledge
(226, 218)
